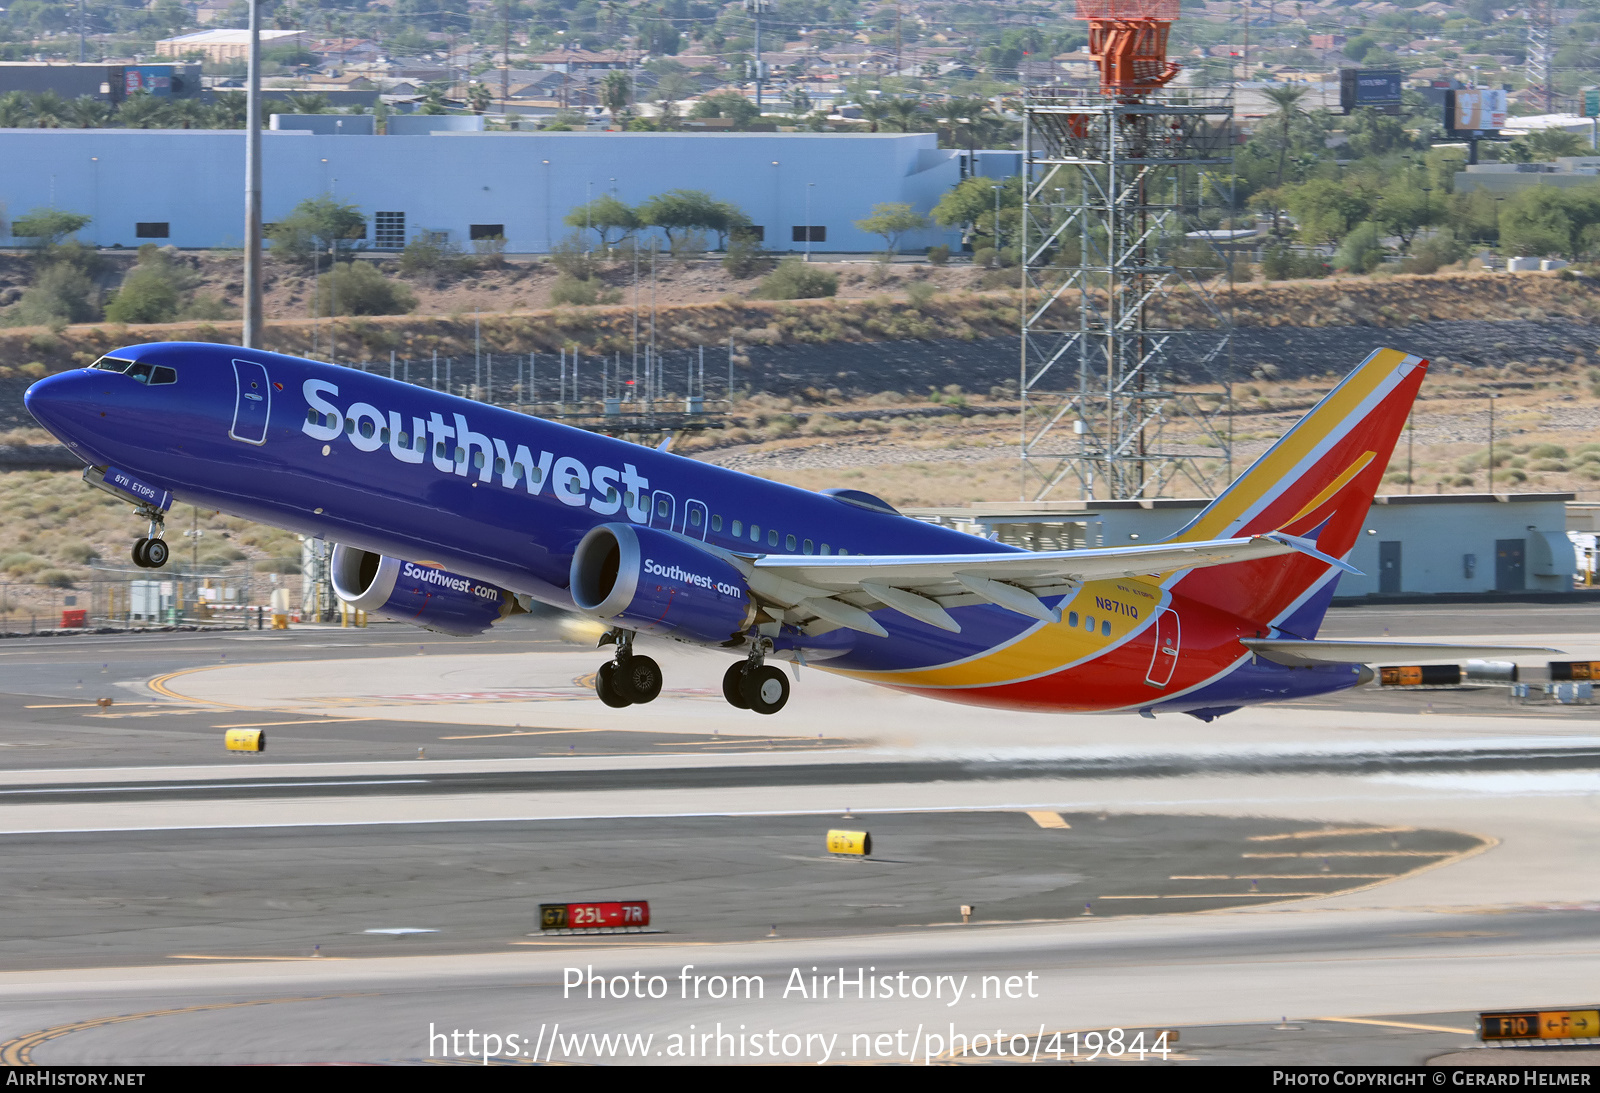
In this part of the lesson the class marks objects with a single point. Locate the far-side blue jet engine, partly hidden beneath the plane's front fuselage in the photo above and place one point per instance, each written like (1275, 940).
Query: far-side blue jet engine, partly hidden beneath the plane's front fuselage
(418, 593)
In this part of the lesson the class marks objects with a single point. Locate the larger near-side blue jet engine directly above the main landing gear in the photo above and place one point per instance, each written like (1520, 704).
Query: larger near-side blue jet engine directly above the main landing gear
(658, 583)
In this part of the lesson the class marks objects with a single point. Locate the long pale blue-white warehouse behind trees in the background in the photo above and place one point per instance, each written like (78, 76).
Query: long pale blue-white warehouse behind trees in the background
(186, 186)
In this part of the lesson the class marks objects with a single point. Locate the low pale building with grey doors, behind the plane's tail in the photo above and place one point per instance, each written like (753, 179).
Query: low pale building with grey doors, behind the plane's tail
(1425, 543)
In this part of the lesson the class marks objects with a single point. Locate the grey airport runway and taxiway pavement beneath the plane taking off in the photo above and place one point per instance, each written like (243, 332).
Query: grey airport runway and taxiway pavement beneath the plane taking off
(1369, 871)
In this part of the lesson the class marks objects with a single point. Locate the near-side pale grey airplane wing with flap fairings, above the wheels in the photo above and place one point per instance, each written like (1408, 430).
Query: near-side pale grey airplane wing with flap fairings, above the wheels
(823, 593)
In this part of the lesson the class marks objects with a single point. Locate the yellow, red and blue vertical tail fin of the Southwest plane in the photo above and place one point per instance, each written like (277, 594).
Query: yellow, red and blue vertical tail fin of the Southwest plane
(1316, 482)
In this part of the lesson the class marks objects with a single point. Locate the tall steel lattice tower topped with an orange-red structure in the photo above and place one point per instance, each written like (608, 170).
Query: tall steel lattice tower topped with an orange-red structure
(1119, 310)
